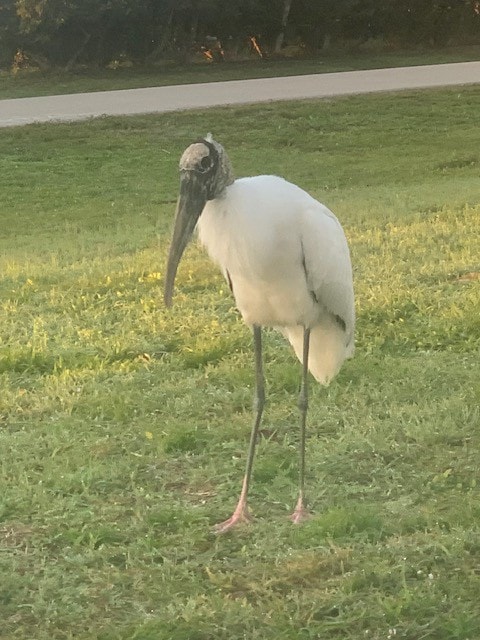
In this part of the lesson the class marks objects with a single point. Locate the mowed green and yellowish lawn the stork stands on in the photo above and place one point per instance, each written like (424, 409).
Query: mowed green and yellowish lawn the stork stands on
(124, 426)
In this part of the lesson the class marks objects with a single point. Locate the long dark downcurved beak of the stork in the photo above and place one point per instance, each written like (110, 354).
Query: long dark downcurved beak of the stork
(192, 199)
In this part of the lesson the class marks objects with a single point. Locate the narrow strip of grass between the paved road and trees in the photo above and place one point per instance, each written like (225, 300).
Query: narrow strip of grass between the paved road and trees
(32, 83)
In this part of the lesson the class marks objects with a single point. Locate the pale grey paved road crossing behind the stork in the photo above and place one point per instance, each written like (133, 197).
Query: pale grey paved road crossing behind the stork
(197, 96)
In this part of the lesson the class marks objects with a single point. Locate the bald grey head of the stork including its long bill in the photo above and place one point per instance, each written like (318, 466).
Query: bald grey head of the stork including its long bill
(205, 173)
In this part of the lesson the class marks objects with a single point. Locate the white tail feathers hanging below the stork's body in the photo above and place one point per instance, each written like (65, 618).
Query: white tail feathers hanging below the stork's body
(327, 349)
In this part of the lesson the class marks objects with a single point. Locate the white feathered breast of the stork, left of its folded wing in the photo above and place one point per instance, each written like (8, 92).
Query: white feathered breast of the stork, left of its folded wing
(262, 256)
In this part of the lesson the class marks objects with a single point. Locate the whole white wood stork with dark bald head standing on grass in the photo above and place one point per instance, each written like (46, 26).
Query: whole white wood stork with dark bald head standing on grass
(287, 262)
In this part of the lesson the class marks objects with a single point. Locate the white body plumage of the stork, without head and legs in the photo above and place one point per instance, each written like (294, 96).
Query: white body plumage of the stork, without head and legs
(277, 246)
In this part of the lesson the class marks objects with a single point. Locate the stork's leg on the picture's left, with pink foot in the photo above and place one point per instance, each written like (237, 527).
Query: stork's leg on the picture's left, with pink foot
(241, 513)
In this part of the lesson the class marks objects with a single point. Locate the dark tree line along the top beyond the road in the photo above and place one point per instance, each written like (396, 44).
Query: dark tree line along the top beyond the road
(66, 33)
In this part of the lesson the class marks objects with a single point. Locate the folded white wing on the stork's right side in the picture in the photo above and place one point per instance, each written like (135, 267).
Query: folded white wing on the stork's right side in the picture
(328, 270)
